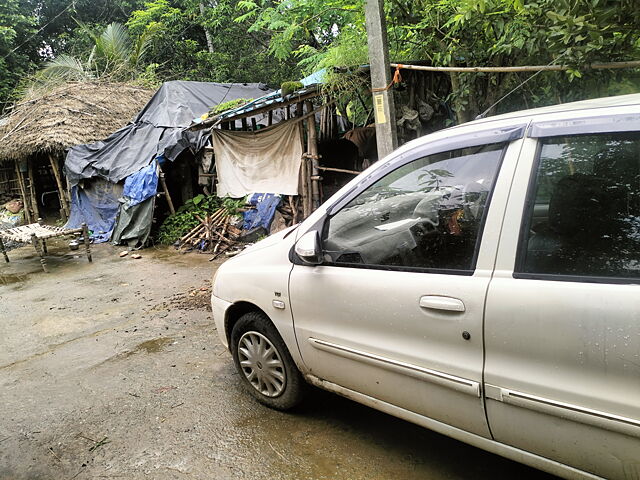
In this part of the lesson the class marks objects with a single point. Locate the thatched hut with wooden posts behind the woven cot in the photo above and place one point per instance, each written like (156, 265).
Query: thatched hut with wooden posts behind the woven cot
(39, 128)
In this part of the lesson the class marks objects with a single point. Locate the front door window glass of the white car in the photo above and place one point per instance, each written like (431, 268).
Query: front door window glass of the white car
(426, 214)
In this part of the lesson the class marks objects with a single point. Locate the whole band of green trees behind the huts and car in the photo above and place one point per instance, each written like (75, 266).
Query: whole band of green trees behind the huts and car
(238, 40)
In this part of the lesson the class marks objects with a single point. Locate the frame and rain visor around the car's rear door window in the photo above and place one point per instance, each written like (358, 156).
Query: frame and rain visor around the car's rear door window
(527, 211)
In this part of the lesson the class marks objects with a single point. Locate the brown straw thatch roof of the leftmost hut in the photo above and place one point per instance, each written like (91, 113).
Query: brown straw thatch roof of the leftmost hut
(71, 114)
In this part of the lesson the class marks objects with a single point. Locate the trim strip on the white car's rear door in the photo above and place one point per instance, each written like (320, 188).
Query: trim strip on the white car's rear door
(597, 418)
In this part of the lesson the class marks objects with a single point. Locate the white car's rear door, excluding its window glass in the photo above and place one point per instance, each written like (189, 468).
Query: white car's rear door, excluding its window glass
(562, 367)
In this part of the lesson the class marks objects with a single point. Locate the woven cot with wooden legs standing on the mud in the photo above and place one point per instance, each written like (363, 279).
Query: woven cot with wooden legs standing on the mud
(37, 235)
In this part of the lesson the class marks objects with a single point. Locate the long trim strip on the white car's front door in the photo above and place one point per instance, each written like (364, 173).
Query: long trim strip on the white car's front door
(433, 376)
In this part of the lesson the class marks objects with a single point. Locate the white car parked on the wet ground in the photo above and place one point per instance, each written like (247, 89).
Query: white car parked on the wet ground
(482, 281)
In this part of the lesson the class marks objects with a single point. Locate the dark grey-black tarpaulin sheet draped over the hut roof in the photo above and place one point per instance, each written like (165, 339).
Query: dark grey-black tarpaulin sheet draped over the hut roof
(159, 129)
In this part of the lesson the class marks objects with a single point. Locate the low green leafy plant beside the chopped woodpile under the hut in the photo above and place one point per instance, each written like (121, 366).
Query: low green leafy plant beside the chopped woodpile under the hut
(186, 217)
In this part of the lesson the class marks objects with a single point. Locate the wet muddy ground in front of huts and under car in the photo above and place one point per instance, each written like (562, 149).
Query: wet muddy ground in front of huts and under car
(113, 370)
